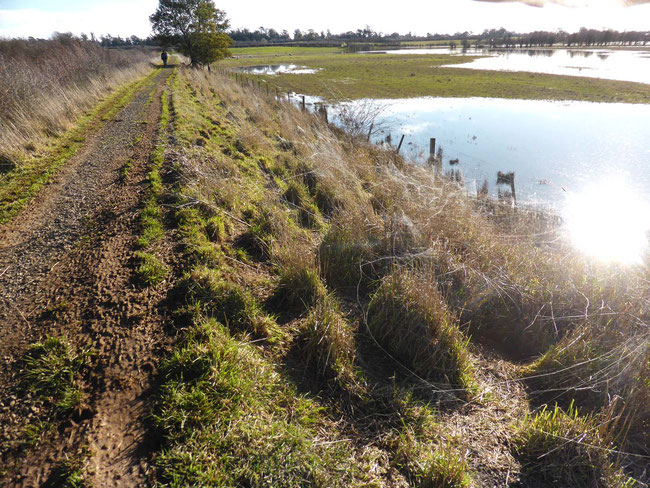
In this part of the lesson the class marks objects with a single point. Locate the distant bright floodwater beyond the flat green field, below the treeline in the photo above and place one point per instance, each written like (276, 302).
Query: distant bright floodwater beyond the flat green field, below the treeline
(612, 64)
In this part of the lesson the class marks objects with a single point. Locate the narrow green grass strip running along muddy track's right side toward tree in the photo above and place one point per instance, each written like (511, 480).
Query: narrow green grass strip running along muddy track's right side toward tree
(151, 270)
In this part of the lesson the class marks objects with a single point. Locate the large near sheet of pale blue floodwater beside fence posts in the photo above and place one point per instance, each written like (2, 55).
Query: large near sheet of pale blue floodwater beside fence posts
(589, 162)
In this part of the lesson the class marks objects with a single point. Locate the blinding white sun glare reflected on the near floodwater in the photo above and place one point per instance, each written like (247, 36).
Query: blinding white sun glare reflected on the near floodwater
(609, 220)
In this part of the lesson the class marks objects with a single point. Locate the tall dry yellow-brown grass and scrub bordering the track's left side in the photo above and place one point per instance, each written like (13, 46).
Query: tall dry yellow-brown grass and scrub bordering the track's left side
(46, 85)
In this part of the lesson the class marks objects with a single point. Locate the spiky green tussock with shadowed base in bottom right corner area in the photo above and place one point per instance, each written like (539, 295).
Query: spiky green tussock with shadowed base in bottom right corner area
(566, 449)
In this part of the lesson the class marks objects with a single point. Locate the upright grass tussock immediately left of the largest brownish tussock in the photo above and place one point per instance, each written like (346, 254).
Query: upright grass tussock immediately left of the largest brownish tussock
(327, 343)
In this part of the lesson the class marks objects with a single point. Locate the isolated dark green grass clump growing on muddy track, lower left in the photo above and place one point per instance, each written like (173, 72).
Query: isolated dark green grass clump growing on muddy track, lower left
(52, 369)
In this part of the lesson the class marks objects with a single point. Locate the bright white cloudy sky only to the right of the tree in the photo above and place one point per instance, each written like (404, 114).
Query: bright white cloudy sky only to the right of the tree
(444, 16)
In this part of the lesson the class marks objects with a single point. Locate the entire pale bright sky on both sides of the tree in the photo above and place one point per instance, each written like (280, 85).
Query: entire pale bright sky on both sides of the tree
(39, 18)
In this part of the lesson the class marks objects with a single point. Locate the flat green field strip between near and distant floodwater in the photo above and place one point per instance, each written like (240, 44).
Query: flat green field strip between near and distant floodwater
(353, 76)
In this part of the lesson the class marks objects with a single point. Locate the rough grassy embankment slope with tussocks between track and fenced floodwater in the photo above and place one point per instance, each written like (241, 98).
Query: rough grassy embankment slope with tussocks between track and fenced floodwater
(336, 303)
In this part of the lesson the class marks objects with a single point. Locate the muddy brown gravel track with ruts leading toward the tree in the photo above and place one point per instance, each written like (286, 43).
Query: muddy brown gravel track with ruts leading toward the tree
(66, 266)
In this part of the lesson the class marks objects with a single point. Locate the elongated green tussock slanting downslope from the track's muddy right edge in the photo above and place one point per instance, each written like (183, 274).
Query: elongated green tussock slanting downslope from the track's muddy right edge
(227, 302)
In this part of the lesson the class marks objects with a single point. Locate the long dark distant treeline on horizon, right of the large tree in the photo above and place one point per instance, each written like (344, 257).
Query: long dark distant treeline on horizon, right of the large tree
(489, 37)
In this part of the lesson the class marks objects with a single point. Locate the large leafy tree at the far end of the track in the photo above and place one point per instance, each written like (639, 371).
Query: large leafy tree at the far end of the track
(195, 27)
